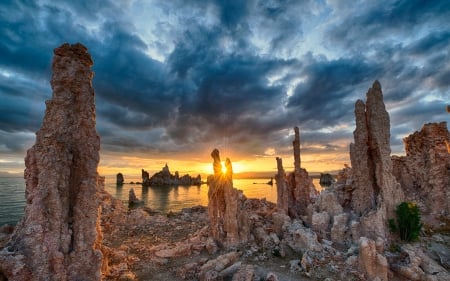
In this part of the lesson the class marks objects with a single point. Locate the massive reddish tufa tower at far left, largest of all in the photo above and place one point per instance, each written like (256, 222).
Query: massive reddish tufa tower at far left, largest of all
(59, 237)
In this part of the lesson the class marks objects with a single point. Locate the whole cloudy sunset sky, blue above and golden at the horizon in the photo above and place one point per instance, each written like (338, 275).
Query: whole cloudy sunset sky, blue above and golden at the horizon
(176, 79)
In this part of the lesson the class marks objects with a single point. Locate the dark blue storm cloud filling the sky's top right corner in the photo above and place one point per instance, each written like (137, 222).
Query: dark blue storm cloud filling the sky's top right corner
(369, 23)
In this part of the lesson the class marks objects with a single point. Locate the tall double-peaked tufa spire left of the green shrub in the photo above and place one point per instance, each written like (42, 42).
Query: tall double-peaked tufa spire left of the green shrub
(376, 190)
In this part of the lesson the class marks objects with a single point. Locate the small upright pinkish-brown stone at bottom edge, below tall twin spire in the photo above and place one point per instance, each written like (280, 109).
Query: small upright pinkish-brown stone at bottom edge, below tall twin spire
(373, 264)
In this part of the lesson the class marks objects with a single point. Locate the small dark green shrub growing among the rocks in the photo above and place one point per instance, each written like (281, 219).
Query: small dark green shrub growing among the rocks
(408, 221)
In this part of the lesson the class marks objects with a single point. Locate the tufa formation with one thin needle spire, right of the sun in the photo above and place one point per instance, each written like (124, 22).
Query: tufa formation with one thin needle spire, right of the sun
(297, 186)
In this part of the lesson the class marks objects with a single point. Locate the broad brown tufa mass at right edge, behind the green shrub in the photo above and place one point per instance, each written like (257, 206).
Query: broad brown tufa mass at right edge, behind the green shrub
(424, 173)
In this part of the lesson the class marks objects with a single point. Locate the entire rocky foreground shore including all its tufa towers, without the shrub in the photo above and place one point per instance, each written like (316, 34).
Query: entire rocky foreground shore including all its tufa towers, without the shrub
(74, 230)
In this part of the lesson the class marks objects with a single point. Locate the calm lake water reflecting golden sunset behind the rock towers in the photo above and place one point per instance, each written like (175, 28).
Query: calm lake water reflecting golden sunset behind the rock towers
(164, 199)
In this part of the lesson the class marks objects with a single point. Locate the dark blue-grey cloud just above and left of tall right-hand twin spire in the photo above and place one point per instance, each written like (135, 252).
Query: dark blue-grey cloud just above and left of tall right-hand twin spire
(327, 93)
